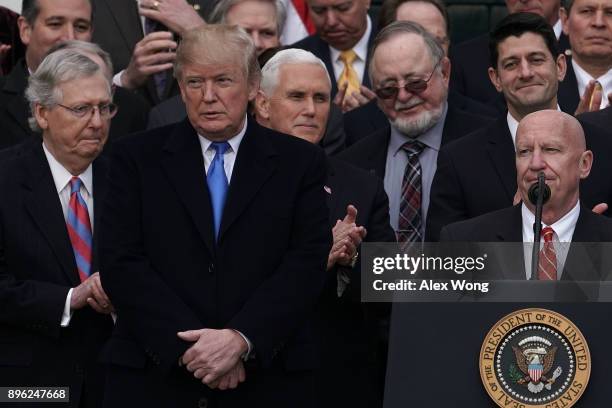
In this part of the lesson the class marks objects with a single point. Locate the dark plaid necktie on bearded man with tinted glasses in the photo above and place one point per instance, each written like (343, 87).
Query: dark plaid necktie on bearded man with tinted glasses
(410, 222)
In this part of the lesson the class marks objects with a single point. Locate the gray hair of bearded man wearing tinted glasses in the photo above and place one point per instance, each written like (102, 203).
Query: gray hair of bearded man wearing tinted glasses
(436, 52)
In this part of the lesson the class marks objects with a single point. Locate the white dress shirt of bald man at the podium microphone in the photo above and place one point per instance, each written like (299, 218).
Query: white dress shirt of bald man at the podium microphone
(562, 238)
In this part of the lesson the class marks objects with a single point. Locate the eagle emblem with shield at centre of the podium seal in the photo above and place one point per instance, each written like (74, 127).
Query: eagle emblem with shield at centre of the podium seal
(535, 357)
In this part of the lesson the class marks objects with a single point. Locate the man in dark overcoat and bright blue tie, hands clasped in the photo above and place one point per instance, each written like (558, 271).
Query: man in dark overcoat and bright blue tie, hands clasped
(215, 300)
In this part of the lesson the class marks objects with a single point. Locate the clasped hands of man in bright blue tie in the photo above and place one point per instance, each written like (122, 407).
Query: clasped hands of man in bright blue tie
(215, 357)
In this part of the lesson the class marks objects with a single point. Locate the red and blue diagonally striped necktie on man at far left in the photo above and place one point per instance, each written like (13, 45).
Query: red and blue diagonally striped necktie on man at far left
(79, 229)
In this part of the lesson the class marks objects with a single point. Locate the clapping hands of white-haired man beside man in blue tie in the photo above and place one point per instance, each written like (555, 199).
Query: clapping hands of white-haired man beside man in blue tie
(347, 238)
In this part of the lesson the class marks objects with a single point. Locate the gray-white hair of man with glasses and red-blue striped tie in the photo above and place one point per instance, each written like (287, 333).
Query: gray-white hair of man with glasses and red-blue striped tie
(57, 68)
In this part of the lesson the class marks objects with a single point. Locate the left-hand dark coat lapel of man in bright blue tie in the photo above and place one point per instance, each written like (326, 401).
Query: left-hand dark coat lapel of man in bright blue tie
(184, 165)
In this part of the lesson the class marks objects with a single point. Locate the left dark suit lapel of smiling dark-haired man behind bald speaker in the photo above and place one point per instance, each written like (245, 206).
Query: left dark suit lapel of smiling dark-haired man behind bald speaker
(501, 153)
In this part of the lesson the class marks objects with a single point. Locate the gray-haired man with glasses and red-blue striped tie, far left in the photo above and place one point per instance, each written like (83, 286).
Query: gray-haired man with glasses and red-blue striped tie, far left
(55, 315)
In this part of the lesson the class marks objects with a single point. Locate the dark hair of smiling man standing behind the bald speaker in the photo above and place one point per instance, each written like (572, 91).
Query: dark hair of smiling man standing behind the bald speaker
(517, 24)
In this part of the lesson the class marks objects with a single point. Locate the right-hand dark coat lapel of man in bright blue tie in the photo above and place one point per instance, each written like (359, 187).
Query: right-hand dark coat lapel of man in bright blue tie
(252, 168)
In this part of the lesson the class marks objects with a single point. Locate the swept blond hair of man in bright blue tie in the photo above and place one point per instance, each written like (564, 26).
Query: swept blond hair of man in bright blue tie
(215, 43)
